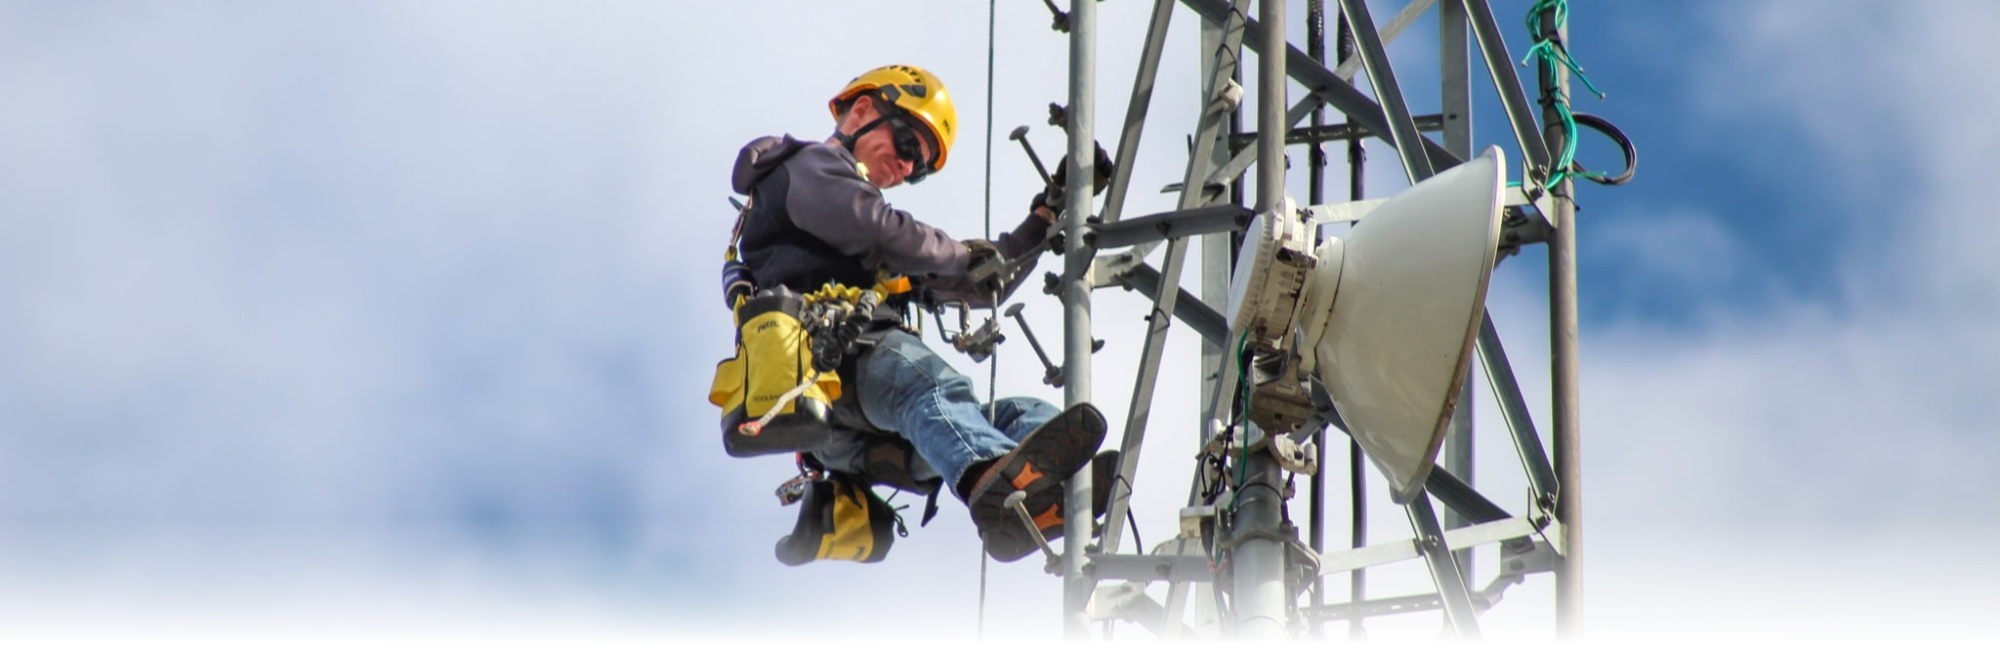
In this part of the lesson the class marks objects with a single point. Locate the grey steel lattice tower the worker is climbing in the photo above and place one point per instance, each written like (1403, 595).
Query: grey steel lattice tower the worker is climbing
(1271, 568)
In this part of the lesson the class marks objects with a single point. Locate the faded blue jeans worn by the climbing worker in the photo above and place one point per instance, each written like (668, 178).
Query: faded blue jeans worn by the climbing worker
(907, 390)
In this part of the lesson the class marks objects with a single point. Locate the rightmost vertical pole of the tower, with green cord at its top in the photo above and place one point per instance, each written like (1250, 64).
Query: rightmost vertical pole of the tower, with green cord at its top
(1565, 370)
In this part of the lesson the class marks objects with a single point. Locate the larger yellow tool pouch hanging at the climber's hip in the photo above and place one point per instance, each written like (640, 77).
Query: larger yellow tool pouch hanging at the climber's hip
(771, 398)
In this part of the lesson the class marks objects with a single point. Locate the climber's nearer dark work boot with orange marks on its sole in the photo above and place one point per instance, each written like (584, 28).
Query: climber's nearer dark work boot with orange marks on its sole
(1039, 466)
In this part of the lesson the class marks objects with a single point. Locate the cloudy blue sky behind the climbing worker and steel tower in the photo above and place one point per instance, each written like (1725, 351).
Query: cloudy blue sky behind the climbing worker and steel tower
(391, 321)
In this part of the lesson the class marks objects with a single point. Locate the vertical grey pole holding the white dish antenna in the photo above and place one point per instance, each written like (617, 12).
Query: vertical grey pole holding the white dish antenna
(1261, 594)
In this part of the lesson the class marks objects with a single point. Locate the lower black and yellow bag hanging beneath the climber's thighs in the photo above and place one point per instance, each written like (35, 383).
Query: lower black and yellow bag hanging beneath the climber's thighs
(841, 520)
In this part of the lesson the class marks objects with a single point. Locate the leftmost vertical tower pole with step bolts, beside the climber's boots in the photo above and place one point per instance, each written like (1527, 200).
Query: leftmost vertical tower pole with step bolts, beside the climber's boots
(1077, 586)
